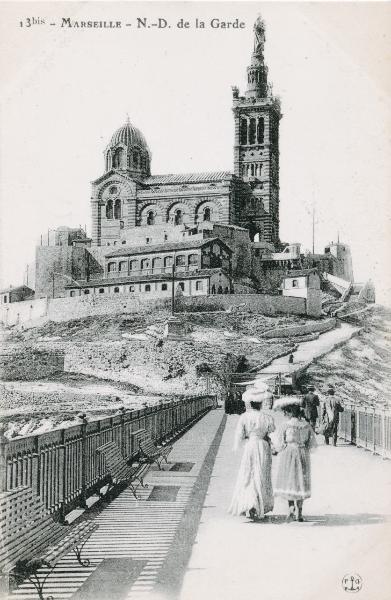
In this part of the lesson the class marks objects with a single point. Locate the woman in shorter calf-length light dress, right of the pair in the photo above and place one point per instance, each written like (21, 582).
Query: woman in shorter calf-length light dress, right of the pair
(296, 439)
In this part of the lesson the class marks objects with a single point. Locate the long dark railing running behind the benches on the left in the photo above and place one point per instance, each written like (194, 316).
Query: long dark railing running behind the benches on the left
(63, 467)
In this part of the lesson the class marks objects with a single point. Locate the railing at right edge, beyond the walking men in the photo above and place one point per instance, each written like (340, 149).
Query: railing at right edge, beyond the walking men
(367, 427)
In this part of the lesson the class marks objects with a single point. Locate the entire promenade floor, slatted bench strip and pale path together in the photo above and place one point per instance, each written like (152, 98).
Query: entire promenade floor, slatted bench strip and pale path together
(179, 542)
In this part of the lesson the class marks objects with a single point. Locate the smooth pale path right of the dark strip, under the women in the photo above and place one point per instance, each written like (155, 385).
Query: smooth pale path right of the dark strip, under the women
(346, 530)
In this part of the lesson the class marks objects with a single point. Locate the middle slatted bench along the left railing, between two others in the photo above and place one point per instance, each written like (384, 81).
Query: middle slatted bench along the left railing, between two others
(120, 471)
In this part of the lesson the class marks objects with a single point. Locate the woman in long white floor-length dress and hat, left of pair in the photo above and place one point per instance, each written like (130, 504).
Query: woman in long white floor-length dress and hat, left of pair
(253, 494)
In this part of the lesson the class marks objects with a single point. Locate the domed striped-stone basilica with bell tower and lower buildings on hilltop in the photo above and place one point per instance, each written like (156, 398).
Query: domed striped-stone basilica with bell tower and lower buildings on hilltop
(218, 231)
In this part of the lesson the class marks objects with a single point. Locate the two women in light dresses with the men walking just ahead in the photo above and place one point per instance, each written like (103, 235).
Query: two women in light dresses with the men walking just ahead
(254, 493)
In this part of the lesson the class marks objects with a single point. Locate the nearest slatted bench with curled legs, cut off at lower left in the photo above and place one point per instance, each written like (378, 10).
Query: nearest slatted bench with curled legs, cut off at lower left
(30, 538)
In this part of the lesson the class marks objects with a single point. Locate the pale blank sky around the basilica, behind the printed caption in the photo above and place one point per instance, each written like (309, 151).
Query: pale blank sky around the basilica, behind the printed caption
(65, 91)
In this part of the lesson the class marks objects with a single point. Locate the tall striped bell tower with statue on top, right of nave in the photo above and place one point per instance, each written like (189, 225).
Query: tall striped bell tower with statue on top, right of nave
(256, 153)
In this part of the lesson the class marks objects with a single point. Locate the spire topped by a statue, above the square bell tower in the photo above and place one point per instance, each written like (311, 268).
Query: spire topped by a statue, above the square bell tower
(257, 70)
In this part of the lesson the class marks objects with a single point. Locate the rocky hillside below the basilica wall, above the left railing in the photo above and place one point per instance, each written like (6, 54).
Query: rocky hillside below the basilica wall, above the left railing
(119, 361)
